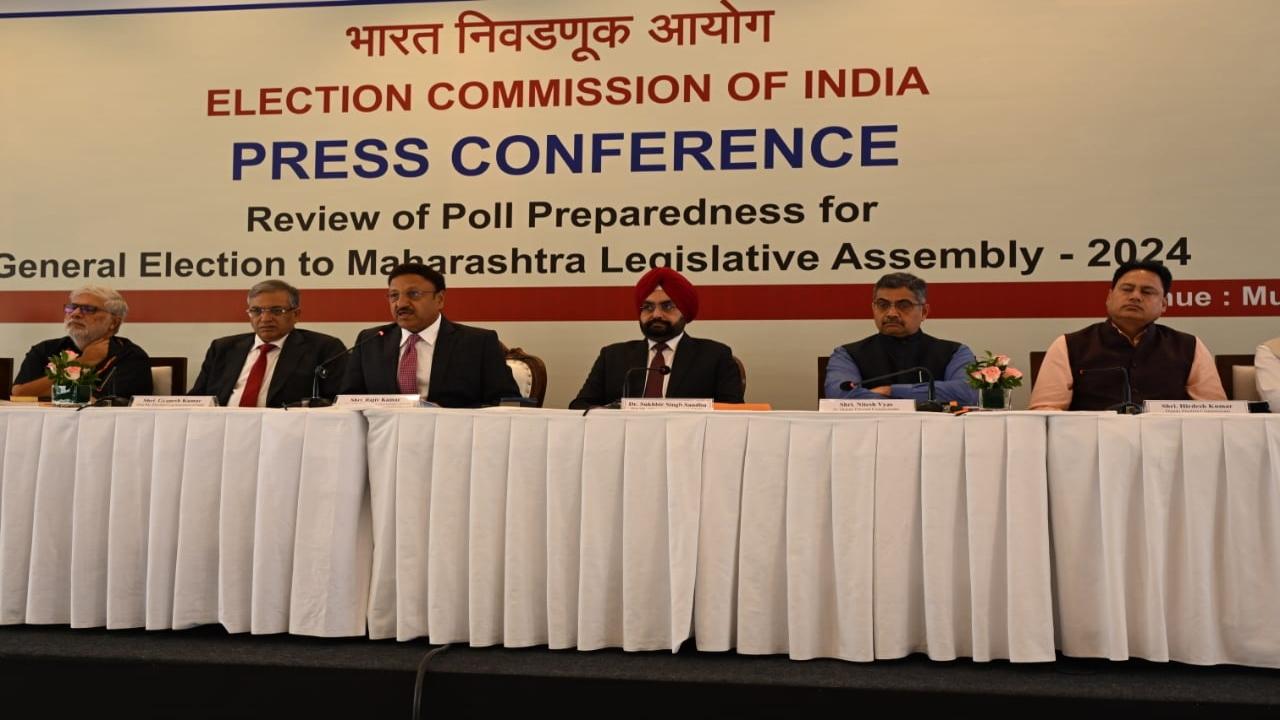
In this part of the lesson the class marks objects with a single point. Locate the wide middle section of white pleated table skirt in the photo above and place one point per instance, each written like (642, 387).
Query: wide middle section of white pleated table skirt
(807, 535)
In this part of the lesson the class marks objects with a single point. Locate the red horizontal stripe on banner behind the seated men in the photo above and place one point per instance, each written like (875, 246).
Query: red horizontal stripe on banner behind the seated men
(1004, 300)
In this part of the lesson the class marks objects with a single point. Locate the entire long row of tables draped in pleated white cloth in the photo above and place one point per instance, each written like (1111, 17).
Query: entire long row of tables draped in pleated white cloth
(993, 536)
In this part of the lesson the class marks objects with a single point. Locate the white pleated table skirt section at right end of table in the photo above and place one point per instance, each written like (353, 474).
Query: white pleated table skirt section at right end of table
(1167, 537)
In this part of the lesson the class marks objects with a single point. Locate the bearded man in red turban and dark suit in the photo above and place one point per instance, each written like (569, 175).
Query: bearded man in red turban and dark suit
(669, 363)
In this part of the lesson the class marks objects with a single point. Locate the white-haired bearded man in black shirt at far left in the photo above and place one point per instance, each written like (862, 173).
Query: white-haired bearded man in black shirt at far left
(93, 317)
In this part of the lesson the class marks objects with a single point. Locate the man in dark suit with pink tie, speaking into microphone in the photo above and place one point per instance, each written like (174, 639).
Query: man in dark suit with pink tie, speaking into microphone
(424, 354)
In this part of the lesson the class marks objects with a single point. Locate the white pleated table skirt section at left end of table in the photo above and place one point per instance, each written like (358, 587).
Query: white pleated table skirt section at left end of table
(171, 518)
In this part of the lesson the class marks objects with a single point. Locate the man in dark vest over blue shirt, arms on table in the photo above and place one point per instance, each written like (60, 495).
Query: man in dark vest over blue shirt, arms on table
(899, 307)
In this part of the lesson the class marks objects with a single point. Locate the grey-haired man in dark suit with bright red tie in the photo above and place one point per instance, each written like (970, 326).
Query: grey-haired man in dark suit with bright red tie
(276, 364)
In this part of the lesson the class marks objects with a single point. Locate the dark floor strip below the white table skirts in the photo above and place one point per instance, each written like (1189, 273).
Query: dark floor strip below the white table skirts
(207, 673)
